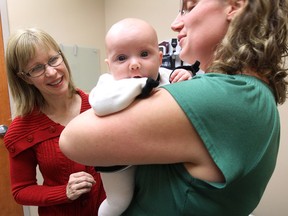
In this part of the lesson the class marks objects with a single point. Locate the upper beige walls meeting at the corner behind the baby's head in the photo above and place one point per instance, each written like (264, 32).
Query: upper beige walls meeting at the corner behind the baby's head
(84, 23)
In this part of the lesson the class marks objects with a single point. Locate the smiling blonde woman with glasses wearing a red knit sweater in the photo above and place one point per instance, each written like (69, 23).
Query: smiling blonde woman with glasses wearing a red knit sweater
(46, 100)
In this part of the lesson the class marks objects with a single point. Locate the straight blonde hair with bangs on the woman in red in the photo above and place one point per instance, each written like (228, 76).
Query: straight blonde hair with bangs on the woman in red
(21, 48)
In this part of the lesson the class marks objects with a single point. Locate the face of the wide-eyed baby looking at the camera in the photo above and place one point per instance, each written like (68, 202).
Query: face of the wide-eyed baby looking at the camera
(134, 55)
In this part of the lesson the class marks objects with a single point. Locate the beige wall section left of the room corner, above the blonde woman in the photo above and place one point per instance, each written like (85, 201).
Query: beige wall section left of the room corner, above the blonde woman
(70, 22)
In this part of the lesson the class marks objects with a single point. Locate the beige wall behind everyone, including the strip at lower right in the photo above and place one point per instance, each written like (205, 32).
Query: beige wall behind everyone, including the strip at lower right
(85, 22)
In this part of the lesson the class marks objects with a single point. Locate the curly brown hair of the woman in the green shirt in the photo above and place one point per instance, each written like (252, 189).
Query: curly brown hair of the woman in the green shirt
(257, 40)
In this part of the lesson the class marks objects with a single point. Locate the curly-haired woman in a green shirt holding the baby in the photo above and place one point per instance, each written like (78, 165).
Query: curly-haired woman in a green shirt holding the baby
(209, 145)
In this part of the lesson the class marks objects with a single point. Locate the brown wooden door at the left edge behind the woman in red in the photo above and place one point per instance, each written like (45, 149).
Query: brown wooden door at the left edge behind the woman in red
(8, 206)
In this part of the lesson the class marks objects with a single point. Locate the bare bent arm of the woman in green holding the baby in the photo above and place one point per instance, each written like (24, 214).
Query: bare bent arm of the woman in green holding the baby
(152, 130)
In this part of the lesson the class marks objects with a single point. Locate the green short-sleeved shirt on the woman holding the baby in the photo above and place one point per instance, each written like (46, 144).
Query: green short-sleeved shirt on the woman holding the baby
(237, 118)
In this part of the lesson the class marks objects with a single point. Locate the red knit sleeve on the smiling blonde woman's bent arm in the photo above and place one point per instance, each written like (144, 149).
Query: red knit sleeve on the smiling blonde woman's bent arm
(25, 189)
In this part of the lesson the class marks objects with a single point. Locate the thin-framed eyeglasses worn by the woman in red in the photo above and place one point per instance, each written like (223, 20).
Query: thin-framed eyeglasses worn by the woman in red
(40, 69)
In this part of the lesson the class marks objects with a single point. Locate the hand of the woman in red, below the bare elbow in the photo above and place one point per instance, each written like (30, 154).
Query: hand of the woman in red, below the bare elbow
(78, 184)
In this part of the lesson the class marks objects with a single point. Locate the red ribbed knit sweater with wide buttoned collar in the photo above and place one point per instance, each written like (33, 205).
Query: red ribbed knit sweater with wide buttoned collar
(34, 140)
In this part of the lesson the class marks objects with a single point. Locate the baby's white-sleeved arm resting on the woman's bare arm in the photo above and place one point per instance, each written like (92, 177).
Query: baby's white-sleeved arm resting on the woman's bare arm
(110, 95)
